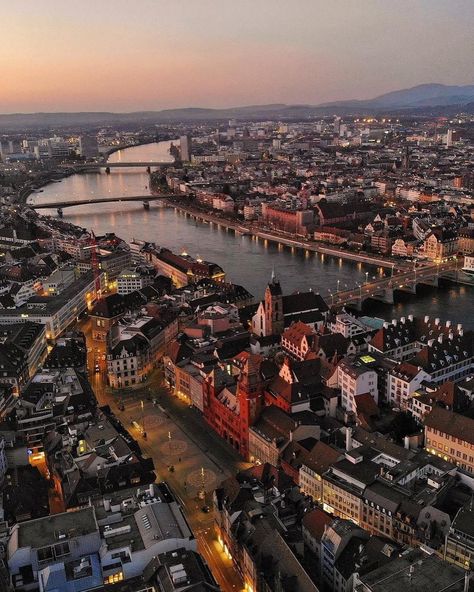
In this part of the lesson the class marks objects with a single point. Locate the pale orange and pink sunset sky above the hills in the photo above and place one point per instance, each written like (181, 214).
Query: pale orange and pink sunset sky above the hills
(129, 55)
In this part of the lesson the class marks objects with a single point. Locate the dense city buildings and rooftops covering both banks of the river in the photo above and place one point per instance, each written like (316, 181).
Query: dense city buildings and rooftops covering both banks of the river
(358, 431)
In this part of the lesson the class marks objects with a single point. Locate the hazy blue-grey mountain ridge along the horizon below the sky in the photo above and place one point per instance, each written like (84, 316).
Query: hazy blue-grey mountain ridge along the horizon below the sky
(436, 99)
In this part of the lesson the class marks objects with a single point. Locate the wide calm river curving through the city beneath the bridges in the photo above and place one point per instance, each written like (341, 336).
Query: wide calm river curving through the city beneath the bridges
(246, 260)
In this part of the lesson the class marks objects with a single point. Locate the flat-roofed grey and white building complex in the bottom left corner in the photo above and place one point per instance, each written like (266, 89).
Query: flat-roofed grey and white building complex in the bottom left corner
(111, 542)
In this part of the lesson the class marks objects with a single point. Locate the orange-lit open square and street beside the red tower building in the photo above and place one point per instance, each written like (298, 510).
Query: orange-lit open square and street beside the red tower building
(177, 436)
